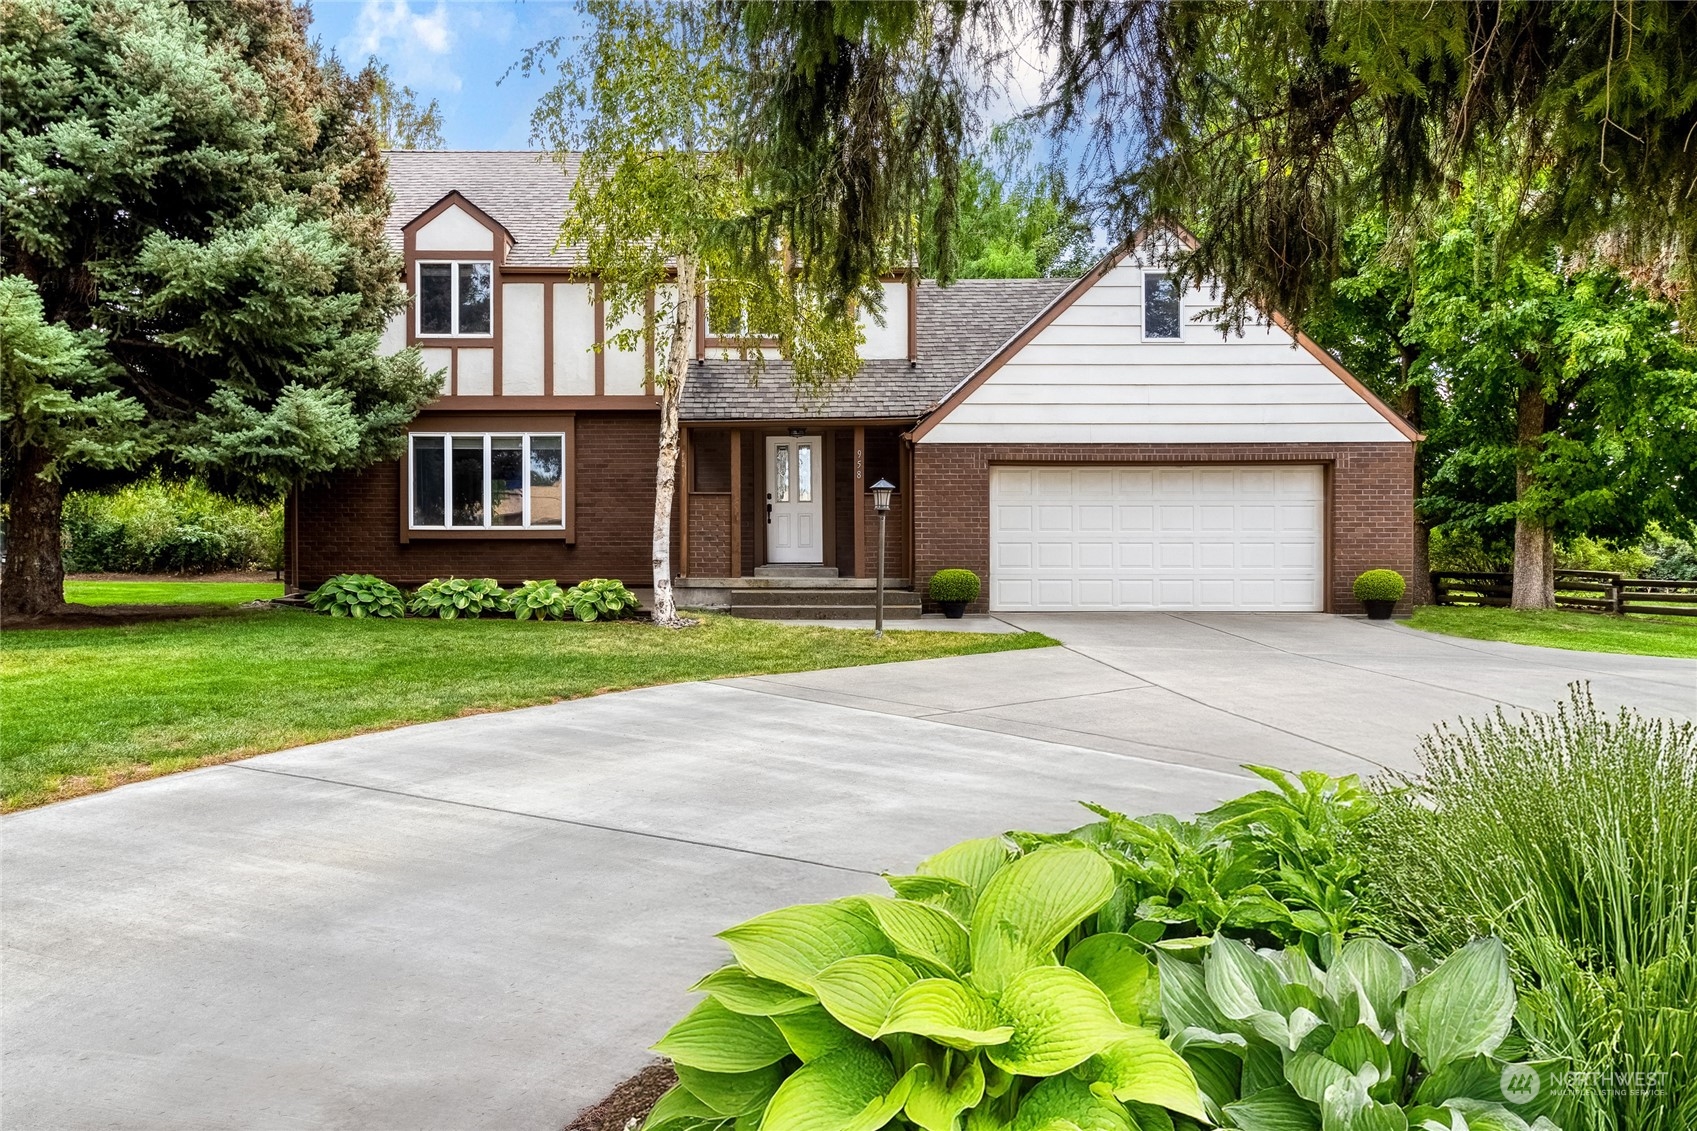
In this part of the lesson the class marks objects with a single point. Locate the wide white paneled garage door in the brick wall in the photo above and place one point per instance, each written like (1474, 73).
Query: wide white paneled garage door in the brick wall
(1157, 539)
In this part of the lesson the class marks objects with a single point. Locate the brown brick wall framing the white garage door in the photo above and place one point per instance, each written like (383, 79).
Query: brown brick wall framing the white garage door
(1370, 524)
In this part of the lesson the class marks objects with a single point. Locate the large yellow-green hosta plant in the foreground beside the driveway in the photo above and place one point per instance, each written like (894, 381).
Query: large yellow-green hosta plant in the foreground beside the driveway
(973, 998)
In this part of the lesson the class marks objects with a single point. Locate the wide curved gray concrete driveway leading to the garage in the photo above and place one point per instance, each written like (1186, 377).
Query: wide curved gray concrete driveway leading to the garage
(484, 923)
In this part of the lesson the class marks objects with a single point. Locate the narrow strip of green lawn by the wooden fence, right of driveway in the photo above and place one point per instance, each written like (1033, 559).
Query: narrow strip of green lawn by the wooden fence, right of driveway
(1582, 633)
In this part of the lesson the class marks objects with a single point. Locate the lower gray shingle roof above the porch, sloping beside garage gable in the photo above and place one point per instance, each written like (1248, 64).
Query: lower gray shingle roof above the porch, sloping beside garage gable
(961, 327)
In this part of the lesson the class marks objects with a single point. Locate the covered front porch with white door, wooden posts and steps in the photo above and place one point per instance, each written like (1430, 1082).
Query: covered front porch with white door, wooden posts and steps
(781, 512)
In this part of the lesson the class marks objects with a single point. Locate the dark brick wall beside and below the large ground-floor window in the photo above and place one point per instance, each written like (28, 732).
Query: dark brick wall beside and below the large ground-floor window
(354, 527)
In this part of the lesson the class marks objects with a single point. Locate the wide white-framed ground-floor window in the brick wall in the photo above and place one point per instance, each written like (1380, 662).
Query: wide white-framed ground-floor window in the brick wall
(488, 480)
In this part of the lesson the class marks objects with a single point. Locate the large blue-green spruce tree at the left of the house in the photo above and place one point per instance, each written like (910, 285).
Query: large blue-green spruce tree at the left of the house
(198, 274)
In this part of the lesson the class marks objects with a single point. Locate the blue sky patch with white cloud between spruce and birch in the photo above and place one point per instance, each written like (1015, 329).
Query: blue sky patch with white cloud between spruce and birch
(454, 53)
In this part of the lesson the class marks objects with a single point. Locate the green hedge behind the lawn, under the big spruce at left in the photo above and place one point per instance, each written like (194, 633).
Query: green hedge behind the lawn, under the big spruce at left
(169, 527)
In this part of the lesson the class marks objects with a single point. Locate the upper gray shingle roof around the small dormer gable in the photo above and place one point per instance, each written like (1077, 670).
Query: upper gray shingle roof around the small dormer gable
(524, 189)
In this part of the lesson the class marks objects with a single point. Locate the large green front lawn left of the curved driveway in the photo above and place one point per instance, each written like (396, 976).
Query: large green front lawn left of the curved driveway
(89, 709)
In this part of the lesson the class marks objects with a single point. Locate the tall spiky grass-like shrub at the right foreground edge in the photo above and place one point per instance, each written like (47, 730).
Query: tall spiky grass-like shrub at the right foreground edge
(1574, 838)
